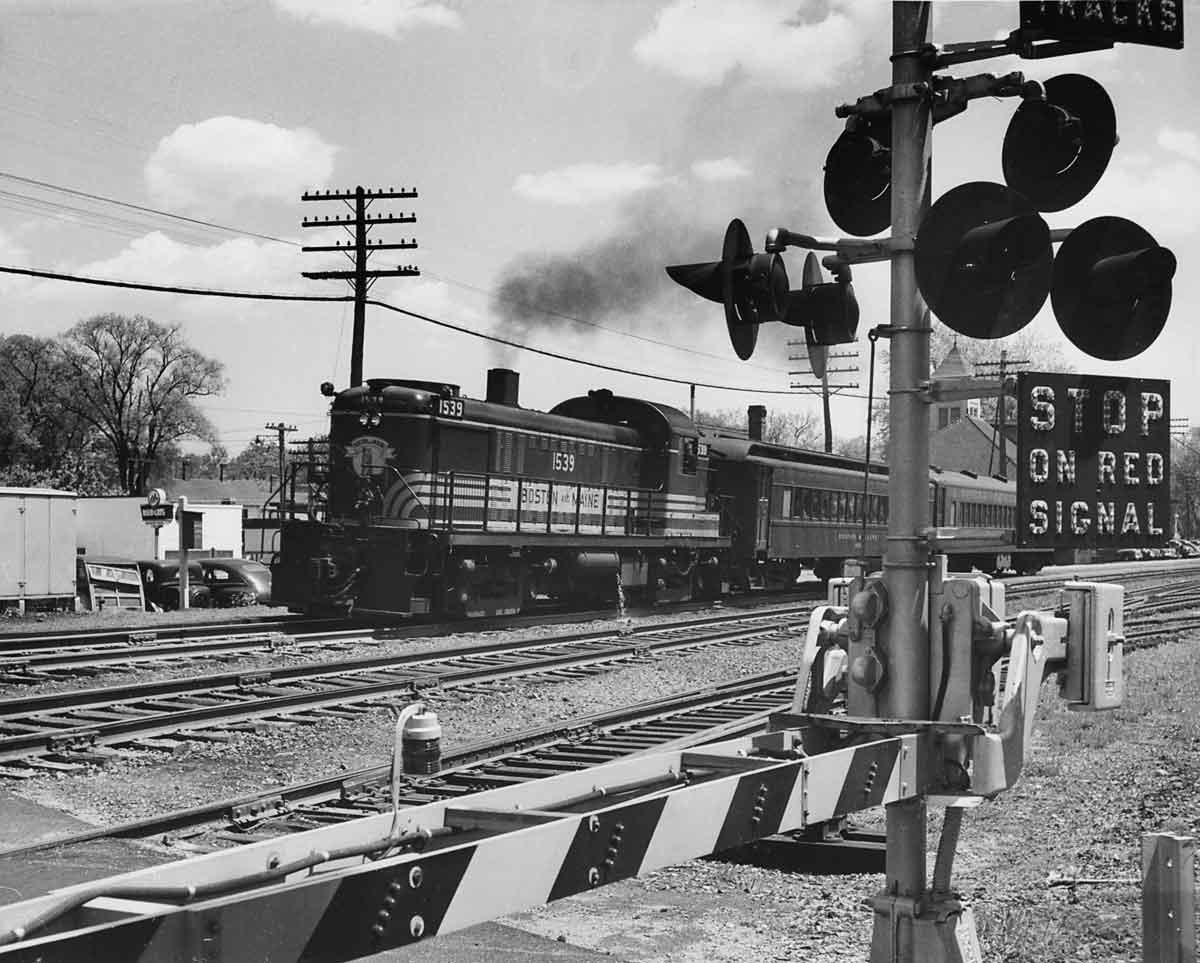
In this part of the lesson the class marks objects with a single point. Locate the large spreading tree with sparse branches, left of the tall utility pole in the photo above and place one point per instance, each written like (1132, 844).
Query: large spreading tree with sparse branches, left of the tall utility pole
(135, 381)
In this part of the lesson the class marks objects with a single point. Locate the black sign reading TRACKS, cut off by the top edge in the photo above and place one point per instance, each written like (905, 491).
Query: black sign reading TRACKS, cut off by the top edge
(1159, 23)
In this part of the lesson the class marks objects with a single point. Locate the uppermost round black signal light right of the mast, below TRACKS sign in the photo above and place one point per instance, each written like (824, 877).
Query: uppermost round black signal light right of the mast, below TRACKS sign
(1057, 148)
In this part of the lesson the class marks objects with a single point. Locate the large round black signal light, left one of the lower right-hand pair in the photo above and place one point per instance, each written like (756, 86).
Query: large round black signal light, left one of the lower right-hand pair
(983, 260)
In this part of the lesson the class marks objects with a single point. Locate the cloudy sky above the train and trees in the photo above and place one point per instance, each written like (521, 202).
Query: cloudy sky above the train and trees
(565, 152)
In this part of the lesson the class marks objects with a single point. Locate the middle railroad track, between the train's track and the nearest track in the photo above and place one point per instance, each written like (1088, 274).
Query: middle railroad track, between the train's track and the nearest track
(70, 731)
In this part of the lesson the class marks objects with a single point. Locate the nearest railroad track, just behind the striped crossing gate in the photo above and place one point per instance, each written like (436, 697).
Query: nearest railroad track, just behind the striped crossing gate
(722, 711)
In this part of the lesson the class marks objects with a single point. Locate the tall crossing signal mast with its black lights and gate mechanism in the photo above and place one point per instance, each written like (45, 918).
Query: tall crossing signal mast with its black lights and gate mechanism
(981, 260)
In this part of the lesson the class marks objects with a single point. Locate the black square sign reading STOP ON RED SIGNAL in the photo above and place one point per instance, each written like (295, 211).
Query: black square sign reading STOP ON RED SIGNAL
(1094, 462)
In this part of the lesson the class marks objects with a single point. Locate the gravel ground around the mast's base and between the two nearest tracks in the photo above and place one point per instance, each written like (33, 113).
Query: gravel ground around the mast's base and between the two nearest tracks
(1093, 786)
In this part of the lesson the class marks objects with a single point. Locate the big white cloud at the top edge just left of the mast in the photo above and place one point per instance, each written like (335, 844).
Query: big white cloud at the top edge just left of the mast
(771, 43)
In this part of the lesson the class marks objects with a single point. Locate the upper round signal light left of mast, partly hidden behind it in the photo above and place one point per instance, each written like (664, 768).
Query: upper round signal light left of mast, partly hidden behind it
(859, 178)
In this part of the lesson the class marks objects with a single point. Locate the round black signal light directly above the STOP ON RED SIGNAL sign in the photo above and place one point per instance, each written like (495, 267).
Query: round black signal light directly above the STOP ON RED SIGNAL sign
(1112, 289)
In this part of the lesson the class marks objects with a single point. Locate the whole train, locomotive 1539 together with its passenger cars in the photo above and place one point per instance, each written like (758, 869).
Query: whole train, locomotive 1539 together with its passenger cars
(434, 503)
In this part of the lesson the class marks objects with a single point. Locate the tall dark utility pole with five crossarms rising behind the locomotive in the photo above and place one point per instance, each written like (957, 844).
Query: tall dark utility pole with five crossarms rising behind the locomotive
(358, 228)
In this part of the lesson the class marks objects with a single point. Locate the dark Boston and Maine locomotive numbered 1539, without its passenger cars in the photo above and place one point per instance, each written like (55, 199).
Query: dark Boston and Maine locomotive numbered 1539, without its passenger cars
(443, 504)
